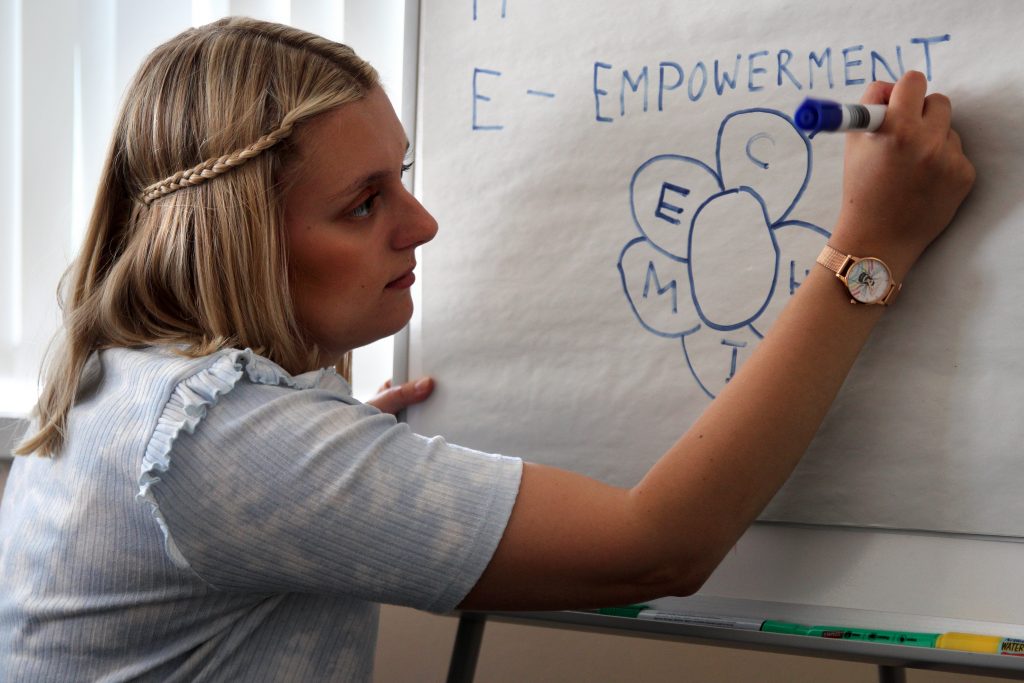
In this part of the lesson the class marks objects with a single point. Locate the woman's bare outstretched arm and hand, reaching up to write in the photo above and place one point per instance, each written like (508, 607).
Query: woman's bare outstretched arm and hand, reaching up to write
(574, 542)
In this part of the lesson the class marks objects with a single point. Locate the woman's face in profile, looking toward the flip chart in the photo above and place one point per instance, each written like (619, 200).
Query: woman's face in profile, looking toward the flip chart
(353, 227)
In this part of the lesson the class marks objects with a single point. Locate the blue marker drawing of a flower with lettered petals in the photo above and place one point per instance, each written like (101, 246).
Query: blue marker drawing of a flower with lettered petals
(719, 253)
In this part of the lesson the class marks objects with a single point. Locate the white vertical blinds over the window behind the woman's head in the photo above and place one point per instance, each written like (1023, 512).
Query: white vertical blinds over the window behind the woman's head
(64, 68)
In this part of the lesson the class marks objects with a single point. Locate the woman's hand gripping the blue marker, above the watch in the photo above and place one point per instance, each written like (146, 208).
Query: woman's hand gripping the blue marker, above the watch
(903, 185)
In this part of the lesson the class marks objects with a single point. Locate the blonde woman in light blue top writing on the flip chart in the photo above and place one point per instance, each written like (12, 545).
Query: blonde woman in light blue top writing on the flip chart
(217, 506)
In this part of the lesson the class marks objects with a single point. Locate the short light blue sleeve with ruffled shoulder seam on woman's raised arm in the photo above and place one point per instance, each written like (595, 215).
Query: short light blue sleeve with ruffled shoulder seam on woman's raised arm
(264, 485)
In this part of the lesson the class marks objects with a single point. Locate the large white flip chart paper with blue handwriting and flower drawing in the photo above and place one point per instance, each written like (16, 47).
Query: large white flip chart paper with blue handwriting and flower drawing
(625, 207)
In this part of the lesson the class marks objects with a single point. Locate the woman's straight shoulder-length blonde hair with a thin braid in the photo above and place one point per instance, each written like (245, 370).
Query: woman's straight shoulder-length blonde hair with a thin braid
(192, 252)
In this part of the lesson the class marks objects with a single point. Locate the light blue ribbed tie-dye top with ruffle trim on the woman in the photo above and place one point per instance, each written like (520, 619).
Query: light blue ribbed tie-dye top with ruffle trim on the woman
(219, 520)
